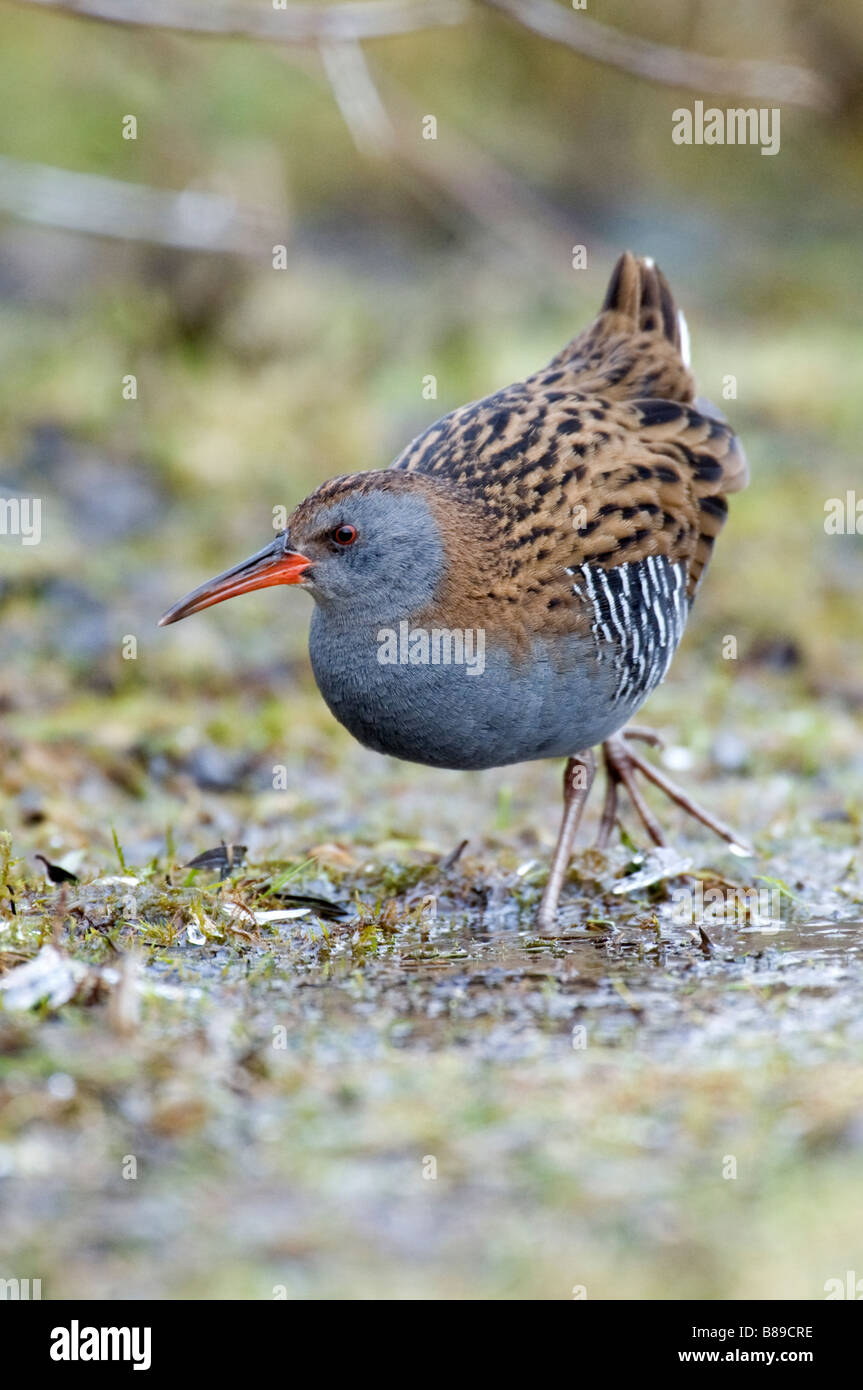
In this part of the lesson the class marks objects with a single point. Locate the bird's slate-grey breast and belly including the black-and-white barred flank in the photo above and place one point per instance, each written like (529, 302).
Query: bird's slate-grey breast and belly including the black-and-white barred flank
(457, 698)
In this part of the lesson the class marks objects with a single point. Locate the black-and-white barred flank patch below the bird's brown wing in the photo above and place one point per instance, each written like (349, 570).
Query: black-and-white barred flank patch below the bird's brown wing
(639, 615)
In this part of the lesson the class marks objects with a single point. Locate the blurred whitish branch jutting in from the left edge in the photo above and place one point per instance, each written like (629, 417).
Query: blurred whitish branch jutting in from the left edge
(104, 206)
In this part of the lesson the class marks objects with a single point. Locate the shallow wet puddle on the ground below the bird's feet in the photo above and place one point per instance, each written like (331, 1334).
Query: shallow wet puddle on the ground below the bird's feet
(648, 985)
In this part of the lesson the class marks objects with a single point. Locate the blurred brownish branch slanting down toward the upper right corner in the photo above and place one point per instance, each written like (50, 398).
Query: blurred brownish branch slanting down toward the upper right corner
(675, 67)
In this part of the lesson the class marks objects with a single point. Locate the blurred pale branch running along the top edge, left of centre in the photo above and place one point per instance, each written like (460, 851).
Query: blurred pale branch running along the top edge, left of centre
(295, 24)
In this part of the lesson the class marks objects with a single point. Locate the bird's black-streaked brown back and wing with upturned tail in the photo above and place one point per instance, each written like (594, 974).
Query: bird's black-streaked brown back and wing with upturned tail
(604, 457)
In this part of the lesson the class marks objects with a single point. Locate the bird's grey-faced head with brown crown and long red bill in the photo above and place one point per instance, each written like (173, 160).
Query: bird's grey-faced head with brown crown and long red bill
(370, 544)
